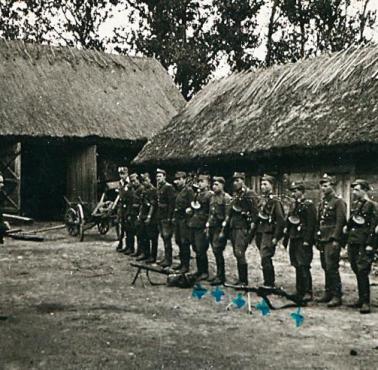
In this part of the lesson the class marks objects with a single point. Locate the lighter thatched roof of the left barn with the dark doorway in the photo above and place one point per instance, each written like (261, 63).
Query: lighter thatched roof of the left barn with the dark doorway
(66, 92)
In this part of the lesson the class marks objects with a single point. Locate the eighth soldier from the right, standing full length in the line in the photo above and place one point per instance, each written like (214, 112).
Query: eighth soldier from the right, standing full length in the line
(184, 197)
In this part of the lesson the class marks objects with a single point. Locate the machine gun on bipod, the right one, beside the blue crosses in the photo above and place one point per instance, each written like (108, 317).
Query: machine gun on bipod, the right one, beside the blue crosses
(264, 293)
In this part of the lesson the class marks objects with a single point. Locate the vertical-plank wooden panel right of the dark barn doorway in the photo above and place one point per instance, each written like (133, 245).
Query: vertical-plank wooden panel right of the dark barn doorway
(82, 174)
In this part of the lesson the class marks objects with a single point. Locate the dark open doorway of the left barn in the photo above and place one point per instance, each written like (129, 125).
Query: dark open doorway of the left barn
(43, 183)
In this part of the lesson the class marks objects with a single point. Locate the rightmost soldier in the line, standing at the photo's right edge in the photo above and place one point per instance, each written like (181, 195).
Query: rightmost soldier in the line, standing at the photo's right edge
(360, 238)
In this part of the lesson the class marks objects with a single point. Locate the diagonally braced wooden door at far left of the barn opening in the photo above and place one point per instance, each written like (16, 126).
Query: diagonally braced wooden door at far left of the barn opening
(10, 166)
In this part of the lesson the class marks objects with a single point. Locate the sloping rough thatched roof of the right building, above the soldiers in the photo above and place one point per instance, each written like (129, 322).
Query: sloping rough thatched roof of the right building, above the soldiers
(327, 101)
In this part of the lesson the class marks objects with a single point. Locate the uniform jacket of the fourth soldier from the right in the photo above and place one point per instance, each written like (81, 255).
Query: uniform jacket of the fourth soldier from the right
(271, 219)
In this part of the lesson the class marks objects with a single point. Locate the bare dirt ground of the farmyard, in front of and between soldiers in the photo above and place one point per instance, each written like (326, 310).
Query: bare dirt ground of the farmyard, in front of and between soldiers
(70, 305)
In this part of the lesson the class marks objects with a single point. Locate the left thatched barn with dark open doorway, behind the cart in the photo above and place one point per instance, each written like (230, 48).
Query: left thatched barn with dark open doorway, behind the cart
(68, 117)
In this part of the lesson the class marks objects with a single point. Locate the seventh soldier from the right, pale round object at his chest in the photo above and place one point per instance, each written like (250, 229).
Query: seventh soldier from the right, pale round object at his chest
(199, 212)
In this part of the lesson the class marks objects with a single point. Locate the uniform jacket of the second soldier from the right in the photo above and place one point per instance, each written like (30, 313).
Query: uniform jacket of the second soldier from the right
(331, 218)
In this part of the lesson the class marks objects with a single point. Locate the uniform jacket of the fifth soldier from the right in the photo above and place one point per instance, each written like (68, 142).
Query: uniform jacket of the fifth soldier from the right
(243, 209)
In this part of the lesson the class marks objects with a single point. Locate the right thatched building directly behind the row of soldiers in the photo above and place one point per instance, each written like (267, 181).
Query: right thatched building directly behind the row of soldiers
(295, 121)
